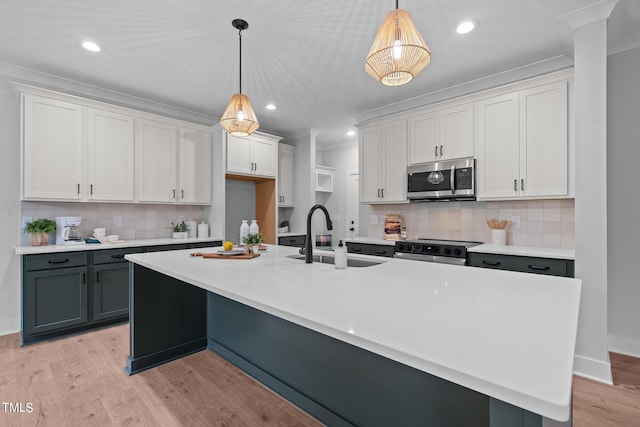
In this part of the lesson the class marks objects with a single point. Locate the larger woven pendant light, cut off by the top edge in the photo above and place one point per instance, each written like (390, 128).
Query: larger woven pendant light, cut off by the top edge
(399, 53)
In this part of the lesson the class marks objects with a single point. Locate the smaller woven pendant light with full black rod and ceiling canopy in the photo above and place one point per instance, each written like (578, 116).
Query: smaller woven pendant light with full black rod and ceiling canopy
(238, 118)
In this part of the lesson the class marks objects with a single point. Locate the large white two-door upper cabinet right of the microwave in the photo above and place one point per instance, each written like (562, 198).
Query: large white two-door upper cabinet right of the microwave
(522, 144)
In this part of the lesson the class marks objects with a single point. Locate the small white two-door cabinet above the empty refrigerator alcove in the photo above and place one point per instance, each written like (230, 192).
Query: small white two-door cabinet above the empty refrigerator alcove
(256, 154)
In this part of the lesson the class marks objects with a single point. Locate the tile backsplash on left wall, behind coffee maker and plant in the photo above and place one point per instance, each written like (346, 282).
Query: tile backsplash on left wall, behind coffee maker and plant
(139, 221)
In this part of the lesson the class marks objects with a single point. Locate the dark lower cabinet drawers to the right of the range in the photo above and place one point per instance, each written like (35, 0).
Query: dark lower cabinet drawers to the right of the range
(525, 264)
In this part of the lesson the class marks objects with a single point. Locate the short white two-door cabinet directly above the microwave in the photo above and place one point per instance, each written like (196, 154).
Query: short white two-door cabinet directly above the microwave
(441, 134)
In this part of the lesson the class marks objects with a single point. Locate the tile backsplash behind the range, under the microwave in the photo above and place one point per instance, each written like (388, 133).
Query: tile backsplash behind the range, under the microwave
(543, 223)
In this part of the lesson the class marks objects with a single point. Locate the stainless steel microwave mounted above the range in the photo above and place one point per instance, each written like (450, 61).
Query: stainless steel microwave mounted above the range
(442, 180)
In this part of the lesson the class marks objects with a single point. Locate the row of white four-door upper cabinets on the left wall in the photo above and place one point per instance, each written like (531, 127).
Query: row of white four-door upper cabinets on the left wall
(82, 150)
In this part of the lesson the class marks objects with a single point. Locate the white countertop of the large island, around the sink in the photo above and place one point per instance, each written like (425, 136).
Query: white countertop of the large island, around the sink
(505, 334)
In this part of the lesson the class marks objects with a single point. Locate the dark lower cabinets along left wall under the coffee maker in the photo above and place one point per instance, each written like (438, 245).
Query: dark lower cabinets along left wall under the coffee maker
(68, 292)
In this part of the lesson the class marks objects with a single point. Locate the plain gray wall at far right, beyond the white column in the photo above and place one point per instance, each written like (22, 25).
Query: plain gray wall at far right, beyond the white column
(623, 181)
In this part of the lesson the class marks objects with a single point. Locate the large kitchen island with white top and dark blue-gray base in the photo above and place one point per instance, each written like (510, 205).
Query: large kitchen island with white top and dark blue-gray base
(402, 342)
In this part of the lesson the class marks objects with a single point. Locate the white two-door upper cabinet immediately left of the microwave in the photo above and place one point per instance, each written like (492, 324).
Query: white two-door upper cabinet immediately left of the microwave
(383, 162)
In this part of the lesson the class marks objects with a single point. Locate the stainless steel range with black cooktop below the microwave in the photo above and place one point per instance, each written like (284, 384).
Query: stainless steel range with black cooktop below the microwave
(433, 250)
